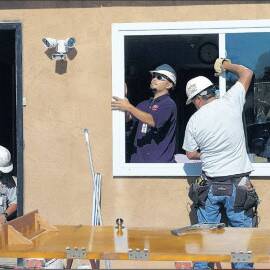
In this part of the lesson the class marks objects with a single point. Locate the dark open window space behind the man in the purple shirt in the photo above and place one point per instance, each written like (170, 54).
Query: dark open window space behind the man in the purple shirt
(189, 55)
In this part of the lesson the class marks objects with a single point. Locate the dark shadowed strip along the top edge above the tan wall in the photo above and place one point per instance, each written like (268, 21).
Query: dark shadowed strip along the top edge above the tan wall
(103, 3)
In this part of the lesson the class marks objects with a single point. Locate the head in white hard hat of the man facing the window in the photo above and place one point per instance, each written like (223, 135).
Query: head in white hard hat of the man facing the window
(200, 91)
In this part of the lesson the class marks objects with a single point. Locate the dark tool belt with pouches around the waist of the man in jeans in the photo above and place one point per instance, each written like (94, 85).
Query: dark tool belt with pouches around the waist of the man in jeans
(246, 198)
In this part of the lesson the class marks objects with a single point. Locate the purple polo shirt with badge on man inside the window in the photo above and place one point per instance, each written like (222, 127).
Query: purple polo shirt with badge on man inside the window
(156, 144)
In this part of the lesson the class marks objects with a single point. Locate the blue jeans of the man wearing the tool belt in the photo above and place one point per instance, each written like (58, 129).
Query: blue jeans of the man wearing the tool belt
(211, 214)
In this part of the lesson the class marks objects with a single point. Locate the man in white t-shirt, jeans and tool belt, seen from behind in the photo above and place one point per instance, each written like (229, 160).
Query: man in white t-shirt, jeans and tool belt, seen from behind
(215, 135)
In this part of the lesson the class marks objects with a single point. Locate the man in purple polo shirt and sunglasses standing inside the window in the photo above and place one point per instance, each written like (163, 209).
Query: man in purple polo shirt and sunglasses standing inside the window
(155, 119)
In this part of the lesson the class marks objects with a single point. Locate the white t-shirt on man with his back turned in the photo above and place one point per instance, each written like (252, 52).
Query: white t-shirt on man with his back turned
(217, 130)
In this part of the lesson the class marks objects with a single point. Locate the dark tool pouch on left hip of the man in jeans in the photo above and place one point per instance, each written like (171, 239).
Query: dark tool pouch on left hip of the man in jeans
(198, 194)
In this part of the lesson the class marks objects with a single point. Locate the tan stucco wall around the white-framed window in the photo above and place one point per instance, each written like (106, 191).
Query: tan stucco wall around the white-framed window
(57, 180)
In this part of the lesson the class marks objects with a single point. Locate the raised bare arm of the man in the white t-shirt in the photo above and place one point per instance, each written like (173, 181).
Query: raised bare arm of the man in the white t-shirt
(244, 74)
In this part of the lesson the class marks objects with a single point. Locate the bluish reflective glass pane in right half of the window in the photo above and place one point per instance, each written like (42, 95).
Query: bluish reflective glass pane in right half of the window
(253, 51)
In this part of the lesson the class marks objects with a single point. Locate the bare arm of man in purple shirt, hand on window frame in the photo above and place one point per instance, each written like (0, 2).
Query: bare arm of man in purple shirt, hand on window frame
(125, 106)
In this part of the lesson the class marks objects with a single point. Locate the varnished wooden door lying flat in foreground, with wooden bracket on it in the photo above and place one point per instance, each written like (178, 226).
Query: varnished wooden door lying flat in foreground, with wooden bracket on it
(103, 242)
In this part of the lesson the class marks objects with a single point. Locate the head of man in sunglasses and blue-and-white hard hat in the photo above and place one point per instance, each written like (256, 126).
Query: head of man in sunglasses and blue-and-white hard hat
(163, 78)
